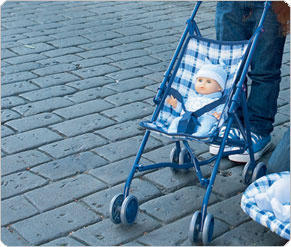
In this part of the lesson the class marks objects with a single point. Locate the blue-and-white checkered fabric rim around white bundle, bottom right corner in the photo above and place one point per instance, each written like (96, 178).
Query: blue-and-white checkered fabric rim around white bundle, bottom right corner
(265, 218)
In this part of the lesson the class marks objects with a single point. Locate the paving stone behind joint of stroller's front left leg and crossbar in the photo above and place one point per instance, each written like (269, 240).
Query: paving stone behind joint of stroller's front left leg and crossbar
(121, 170)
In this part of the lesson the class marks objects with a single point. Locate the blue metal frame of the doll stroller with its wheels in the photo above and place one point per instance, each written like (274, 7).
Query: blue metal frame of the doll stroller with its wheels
(124, 207)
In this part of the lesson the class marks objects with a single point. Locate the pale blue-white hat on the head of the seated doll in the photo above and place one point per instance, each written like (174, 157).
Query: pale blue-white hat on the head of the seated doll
(215, 72)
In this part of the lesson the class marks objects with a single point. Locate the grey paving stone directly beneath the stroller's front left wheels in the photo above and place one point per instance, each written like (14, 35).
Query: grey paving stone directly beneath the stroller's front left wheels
(107, 233)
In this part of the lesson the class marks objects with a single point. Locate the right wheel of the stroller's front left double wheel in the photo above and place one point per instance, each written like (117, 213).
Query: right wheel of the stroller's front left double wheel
(129, 210)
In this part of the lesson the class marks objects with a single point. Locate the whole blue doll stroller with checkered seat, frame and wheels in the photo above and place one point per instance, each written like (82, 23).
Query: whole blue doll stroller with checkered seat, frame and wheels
(191, 52)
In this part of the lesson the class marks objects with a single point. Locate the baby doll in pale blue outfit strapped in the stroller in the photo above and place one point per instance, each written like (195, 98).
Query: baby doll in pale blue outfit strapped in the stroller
(209, 85)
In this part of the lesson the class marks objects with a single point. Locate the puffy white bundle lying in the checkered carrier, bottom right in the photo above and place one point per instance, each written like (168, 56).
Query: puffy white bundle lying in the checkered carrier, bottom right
(276, 199)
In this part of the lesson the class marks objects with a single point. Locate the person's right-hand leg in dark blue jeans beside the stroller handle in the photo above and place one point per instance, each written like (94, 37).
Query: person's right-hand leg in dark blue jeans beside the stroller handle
(265, 72)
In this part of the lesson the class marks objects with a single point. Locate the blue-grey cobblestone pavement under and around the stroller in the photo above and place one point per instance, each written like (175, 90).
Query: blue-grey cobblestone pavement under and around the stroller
(77, 78)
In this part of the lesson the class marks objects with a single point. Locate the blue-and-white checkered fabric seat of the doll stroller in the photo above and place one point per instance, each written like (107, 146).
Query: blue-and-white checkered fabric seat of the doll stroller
(197, 51)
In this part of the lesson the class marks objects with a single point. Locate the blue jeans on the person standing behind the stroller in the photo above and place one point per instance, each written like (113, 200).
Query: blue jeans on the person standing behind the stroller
(238, 21)
